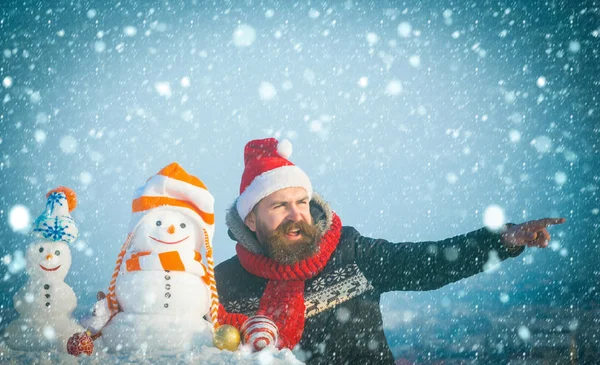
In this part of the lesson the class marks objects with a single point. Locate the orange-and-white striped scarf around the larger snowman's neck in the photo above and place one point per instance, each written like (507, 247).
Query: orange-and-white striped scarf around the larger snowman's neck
(187, 261)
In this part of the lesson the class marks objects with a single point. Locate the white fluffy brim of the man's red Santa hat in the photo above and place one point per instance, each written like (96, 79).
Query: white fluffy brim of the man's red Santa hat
(269, 182)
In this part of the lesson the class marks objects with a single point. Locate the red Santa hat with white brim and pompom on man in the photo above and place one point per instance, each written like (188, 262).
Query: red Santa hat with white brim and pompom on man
(267, 169)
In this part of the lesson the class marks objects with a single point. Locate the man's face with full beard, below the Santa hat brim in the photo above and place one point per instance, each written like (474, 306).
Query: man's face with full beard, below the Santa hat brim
(283, 225)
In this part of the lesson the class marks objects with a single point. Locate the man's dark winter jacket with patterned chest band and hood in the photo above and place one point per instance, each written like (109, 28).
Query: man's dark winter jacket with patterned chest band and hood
(343, 320)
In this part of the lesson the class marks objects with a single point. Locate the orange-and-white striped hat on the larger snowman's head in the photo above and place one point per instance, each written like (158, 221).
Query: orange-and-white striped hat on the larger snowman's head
(173, 186)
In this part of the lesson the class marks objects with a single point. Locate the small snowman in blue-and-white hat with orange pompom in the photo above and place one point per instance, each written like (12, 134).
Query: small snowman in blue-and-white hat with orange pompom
(45, 302)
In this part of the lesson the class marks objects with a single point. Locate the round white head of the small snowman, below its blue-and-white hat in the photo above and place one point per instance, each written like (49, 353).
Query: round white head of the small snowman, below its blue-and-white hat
(48, 260)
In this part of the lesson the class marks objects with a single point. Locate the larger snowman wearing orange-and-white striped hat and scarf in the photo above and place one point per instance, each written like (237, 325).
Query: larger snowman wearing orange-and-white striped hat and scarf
(162, 293)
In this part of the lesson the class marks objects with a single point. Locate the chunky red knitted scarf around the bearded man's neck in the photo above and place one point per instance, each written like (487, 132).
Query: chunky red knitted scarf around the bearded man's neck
(283, 298)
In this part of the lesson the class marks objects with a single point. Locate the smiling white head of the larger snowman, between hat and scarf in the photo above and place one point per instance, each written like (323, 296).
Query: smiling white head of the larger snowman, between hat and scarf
(167, 229)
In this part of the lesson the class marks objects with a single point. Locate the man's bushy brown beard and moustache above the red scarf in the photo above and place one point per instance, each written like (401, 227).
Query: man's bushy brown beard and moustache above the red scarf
(286, 251)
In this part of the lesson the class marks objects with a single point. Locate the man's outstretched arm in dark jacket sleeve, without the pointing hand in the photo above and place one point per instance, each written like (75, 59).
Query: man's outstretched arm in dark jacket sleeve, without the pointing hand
(429, 265)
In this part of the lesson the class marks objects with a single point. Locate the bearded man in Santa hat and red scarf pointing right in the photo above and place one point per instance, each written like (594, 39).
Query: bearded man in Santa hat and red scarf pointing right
(303, 281)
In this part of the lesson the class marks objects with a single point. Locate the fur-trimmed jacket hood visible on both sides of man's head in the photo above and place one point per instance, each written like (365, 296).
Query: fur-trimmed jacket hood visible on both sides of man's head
(238, 231)
